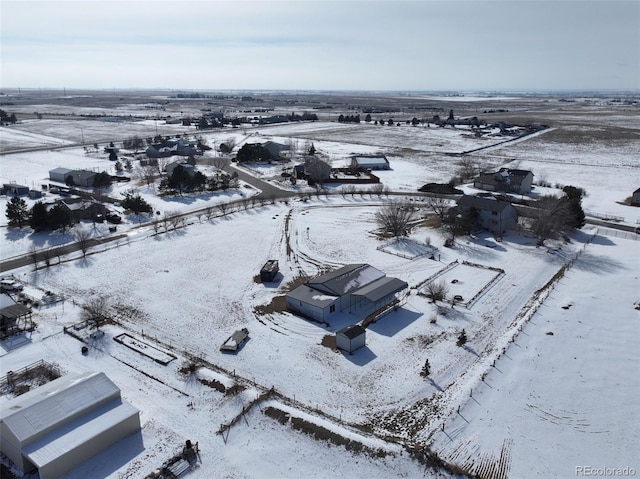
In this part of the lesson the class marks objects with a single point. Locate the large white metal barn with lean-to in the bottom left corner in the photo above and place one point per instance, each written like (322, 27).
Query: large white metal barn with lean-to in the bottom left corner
(63, 423)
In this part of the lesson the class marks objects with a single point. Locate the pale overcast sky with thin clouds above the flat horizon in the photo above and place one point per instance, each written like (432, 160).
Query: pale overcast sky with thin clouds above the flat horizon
(418, 45)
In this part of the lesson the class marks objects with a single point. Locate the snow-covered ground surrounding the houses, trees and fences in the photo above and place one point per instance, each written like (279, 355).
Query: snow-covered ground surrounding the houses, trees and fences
(183, 292)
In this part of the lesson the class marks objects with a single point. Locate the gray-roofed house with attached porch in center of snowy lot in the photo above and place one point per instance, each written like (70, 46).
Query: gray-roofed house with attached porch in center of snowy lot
(357, 289)
